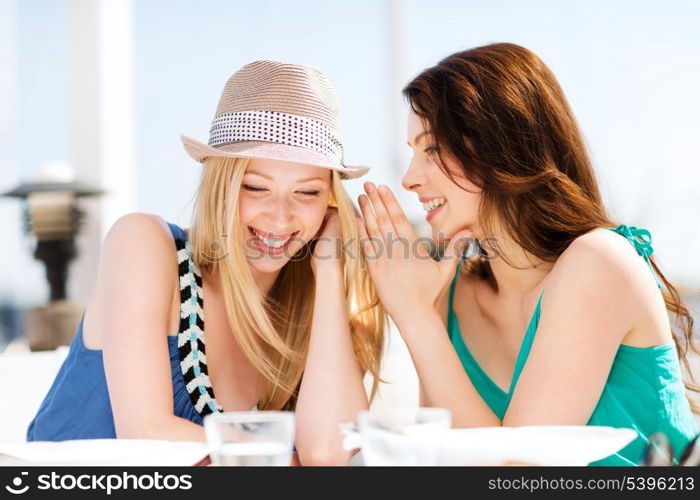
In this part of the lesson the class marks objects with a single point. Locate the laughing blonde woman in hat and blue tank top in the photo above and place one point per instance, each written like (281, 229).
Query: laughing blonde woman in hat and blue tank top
(291, 321)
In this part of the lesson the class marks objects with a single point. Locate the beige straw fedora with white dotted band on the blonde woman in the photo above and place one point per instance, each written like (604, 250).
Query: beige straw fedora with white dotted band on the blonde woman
(279, 111)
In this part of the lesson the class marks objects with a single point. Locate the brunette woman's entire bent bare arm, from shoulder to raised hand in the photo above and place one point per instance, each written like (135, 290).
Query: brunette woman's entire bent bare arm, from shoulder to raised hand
(592, 302)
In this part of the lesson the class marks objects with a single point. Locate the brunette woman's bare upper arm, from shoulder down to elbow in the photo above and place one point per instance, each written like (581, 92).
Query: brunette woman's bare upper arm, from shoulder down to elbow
(585, 316)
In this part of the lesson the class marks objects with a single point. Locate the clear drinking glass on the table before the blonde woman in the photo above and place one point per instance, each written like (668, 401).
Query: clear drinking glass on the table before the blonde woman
(257, 438)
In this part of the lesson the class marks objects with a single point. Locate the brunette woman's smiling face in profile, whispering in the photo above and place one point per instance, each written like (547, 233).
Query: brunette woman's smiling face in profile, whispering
(450, 207)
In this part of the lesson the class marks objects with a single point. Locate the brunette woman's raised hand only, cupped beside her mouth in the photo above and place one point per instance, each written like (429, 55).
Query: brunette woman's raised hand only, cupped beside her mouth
(407, 279)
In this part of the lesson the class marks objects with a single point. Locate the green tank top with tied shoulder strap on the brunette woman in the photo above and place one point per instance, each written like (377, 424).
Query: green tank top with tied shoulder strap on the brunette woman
(644, 390)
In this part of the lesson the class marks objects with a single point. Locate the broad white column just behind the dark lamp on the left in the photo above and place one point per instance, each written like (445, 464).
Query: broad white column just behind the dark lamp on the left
(101, 124)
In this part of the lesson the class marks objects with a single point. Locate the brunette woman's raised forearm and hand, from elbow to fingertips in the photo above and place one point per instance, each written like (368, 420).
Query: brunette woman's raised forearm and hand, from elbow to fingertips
(413, 288)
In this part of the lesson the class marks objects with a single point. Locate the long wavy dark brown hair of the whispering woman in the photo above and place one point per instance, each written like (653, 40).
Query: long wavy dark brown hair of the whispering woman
(499, 112)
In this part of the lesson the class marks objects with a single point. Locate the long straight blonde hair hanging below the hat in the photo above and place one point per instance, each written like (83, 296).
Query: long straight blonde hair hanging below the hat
(273, 332)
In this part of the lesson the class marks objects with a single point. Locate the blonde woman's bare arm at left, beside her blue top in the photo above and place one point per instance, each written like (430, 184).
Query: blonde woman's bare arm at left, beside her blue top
(136, 278)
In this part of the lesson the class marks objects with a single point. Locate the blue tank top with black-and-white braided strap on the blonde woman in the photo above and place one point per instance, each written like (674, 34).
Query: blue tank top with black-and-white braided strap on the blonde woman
(77, 405)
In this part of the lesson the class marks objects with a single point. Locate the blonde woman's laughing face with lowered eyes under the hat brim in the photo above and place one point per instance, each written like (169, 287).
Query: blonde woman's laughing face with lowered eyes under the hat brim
(281, 208)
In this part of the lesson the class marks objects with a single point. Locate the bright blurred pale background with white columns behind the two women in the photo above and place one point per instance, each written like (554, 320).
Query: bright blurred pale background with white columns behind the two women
(106, 87)
